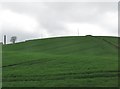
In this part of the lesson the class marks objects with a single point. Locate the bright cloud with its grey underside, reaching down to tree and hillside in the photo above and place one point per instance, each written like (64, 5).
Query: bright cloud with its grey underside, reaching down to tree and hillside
(21, 25)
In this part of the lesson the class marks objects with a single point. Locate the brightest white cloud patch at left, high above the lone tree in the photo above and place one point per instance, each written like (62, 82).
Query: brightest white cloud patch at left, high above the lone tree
(19, 21)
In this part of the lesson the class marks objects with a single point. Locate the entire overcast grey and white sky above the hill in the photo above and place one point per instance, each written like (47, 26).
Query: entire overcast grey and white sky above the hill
(34, 20)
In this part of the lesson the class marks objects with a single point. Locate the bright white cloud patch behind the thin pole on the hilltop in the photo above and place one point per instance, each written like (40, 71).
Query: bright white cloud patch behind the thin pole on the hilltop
(86, 29)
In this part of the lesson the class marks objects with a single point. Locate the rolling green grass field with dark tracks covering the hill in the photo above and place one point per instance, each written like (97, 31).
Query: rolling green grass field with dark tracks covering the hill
(84, 61)
